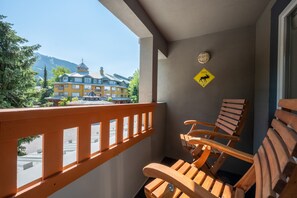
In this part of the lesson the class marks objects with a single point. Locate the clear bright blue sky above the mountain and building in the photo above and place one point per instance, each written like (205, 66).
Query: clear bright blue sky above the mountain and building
(75, 29)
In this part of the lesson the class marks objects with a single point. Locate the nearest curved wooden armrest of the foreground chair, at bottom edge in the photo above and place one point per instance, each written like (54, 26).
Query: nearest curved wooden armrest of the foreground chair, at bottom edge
(179, 180)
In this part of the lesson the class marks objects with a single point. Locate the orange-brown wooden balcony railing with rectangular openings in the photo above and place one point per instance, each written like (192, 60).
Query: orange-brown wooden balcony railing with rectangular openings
(50, 123)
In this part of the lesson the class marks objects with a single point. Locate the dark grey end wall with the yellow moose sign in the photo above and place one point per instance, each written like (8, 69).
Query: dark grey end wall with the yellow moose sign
(232, 63)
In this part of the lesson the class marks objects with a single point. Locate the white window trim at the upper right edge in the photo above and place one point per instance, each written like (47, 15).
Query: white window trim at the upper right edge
(282, 28)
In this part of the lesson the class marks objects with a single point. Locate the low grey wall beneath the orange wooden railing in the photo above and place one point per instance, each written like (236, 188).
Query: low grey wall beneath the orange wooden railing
(122, 176)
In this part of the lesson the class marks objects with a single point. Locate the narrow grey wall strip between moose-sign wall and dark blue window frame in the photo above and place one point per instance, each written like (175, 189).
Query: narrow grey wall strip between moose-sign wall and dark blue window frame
(262, 65)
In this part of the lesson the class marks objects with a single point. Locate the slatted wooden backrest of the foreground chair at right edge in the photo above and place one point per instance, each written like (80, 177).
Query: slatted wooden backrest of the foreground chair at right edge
(275, 166)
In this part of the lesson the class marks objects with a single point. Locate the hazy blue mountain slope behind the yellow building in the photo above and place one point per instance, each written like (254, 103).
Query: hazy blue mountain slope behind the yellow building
(50, 62)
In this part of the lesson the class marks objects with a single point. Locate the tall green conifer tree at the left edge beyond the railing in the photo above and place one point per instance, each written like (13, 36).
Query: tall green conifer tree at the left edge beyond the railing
(17, 79)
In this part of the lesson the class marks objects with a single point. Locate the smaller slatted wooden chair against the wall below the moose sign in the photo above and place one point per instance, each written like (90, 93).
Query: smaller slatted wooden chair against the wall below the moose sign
(229, 125)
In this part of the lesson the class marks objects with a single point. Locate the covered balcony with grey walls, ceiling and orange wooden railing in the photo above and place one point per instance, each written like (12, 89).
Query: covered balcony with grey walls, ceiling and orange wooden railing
(245, 59)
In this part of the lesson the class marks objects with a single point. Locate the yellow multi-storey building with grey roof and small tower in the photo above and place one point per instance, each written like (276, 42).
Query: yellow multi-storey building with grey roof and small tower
(85, 86)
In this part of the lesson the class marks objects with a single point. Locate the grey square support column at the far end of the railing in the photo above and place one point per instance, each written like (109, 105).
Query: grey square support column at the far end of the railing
(148, 70)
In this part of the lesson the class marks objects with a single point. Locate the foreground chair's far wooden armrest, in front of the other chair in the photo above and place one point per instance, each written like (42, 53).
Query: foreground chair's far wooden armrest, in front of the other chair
(226, 149)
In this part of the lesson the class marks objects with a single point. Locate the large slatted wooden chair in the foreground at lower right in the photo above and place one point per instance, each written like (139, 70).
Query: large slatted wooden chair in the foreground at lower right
(273, 166)
